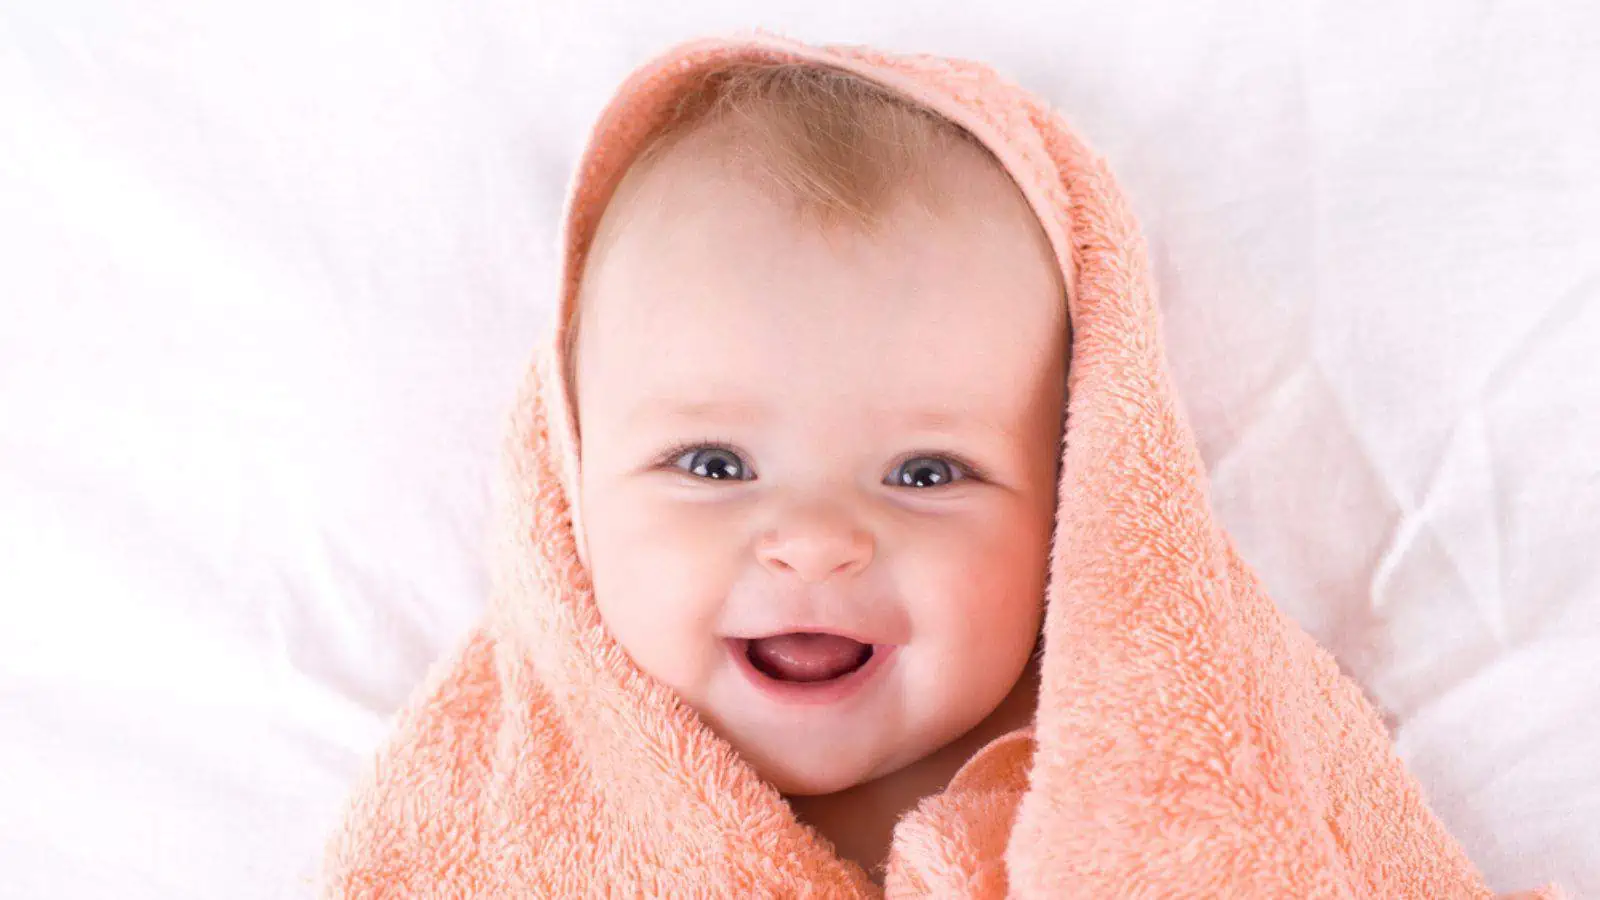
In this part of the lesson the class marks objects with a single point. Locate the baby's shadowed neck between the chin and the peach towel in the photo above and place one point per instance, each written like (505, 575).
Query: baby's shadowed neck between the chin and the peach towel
(860, 821)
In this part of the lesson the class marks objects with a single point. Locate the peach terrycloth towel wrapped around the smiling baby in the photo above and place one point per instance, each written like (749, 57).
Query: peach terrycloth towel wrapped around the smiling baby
(1190, 742)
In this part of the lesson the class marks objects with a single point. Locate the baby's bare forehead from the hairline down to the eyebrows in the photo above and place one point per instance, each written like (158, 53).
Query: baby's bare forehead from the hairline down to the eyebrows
(706, 281)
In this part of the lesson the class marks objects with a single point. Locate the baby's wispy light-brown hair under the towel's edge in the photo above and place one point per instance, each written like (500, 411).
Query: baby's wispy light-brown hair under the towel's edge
(844, 150)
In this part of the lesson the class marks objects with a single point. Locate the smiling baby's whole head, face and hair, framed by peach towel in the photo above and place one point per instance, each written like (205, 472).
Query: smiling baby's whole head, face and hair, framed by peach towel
(820, 361)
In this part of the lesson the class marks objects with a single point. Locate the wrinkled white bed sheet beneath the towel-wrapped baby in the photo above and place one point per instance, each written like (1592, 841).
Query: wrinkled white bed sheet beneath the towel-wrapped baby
(270, 275)
